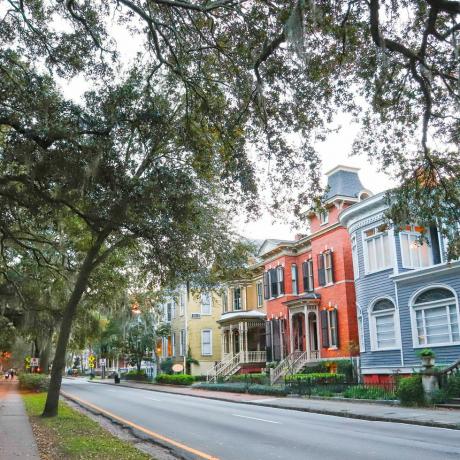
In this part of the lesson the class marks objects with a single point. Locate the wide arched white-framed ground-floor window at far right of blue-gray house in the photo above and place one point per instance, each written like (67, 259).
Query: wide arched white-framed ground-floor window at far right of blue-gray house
(436, 318)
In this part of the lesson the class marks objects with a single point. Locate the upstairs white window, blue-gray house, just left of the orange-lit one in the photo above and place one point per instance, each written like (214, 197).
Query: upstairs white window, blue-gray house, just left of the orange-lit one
(378, 251)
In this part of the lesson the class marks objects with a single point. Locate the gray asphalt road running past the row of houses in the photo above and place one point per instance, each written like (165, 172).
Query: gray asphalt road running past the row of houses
(233, 431)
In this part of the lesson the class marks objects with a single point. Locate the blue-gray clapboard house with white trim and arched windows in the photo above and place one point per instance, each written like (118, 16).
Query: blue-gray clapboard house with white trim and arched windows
(407, 294)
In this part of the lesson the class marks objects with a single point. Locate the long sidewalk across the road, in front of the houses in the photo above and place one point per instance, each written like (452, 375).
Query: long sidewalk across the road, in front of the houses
(441, 418)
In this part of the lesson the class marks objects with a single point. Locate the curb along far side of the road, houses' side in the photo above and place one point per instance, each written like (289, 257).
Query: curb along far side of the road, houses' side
(371, 418)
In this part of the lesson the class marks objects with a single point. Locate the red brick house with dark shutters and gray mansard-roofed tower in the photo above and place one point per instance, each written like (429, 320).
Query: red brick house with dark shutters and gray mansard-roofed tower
(309, 284)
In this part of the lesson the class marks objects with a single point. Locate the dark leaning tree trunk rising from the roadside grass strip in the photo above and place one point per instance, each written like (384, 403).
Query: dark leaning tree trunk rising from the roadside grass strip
(52, 400)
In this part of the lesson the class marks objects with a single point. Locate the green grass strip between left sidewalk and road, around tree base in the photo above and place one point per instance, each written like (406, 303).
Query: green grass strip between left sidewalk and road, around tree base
(76, 436)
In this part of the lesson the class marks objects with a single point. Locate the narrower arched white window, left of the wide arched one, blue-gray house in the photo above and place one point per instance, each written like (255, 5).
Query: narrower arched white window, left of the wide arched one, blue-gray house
(383, 325)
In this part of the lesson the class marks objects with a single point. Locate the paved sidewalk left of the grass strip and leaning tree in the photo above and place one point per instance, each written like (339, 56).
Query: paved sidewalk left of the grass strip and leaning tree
(16, 437)
